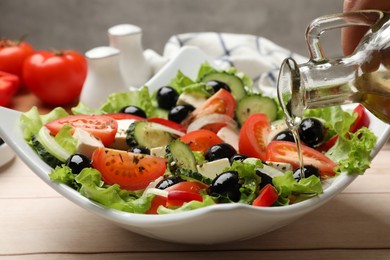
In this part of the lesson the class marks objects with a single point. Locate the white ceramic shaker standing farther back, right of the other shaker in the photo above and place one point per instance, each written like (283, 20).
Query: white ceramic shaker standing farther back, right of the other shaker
(127, 39)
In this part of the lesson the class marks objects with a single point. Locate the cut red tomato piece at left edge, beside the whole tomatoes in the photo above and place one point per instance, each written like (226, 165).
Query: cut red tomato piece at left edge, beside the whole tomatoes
(9, 84)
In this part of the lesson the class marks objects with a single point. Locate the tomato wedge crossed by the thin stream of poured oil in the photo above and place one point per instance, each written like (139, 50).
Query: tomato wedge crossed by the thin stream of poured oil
(284, 151)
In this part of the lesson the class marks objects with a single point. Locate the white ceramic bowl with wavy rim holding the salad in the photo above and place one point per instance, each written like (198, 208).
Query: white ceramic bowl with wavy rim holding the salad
(208, 225)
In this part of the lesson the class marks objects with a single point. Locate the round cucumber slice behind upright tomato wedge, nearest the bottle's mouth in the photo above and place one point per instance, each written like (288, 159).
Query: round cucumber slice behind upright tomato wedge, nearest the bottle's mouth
(256, 103)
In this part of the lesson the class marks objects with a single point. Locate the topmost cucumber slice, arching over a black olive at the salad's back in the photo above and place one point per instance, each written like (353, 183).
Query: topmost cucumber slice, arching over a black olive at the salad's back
(236, 85)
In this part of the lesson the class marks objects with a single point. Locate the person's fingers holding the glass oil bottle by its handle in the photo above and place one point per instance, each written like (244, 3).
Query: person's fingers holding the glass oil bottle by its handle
(351, 36)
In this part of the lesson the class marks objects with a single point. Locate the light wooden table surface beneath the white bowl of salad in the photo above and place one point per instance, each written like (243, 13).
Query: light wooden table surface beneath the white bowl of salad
(38, 223)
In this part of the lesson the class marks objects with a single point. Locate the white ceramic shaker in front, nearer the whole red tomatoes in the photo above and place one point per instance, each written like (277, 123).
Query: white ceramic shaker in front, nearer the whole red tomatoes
(104, 76)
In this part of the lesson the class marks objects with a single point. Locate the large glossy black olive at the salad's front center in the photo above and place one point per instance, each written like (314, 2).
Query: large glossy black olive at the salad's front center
(227, 186)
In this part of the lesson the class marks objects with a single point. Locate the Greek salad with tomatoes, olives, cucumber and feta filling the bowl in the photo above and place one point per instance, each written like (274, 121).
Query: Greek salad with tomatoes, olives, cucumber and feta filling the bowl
(194, 143)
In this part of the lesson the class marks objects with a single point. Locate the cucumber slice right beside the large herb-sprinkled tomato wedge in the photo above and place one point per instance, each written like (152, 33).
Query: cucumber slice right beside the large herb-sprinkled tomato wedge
(181, 155)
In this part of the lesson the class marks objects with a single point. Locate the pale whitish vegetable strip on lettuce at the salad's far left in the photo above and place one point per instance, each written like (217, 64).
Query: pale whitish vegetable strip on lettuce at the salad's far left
(50, 144)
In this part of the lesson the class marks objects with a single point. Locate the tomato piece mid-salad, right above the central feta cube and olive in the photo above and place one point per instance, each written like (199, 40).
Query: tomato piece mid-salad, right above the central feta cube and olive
(201, 140)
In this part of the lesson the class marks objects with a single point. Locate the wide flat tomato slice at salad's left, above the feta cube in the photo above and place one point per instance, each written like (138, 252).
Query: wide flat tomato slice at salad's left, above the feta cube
(100, 126)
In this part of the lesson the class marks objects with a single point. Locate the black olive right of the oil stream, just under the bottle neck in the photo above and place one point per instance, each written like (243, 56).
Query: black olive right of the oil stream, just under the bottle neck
(311, 131)
